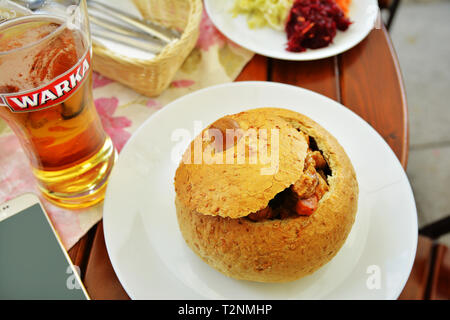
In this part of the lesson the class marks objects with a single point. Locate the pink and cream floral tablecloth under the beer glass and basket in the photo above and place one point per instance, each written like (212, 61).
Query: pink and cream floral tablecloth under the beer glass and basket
(214, 60)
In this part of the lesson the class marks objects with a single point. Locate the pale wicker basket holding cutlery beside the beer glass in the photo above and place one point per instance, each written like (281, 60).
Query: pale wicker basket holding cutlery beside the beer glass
(151, 77)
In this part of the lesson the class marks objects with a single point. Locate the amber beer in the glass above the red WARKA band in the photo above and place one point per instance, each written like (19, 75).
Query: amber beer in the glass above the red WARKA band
(36, 65)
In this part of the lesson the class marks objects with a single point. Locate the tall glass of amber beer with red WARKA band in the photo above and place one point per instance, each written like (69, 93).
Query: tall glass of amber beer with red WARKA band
(46, 99)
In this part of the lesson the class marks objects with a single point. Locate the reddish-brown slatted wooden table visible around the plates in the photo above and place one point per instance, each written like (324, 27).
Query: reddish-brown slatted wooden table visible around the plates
(366, 79)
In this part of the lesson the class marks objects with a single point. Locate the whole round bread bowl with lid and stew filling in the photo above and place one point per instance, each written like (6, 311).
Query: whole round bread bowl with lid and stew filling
(264, 227)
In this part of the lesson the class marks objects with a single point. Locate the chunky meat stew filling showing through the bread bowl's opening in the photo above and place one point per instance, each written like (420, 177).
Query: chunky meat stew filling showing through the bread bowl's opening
(302, 197)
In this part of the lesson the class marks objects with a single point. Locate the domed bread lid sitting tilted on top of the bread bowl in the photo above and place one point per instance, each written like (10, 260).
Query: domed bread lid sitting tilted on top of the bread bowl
(235, 190)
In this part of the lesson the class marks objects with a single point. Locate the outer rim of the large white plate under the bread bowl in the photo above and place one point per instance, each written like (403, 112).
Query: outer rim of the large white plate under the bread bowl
(170, 105)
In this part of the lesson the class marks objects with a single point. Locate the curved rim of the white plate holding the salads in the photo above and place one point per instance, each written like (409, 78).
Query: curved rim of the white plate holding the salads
(299, 55)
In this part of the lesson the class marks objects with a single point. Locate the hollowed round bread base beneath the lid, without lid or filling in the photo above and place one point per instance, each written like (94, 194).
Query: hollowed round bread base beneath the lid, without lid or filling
(278, 250)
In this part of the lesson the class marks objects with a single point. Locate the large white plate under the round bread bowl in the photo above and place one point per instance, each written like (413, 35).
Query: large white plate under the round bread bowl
(151, 258)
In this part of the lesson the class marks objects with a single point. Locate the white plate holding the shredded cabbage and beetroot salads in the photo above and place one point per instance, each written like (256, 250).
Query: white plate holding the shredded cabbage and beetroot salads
(272, 43)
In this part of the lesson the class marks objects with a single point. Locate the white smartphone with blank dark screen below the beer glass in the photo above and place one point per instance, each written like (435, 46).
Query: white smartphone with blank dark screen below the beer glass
(33, 261)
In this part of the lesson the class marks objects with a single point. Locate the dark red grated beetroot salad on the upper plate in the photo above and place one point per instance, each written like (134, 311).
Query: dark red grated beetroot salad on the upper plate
(313, 23)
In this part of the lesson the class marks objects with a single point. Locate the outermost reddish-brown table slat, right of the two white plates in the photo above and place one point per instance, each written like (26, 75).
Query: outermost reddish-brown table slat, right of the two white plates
(371, 86)
